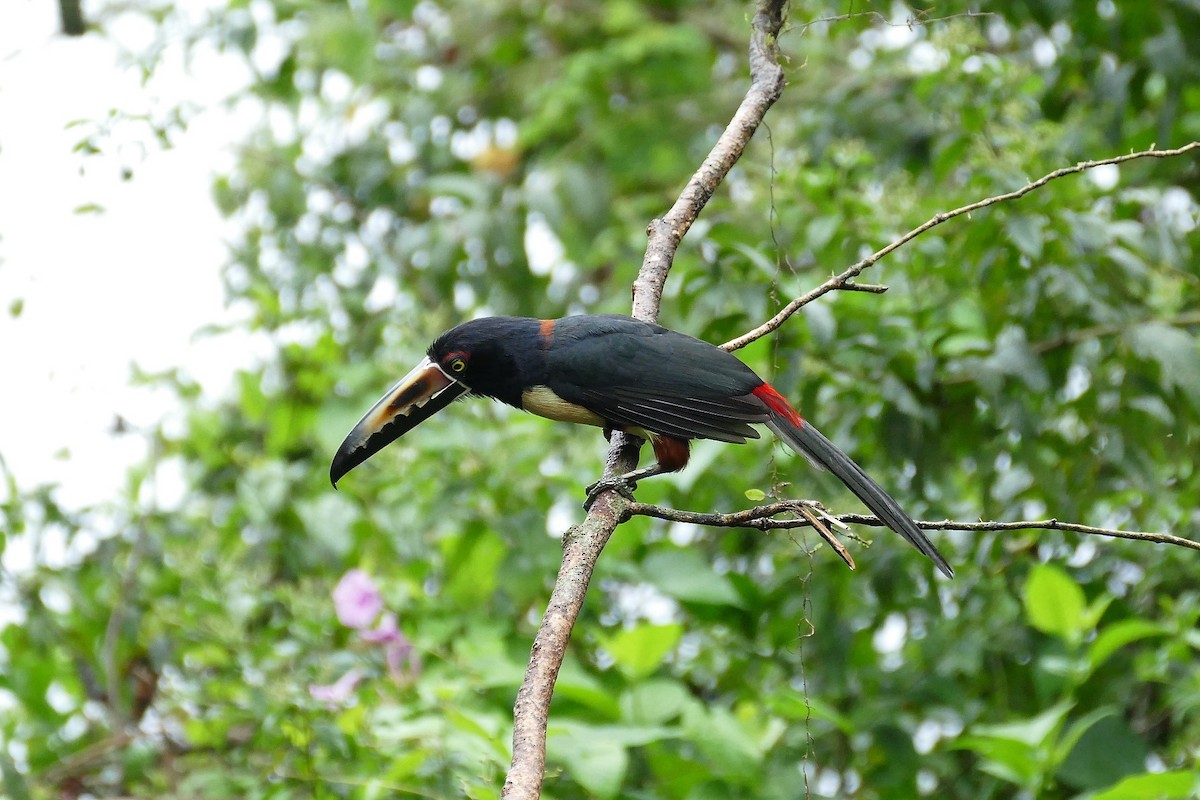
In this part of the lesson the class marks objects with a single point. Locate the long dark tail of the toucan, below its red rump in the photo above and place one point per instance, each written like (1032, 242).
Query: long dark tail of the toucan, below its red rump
(813, 446)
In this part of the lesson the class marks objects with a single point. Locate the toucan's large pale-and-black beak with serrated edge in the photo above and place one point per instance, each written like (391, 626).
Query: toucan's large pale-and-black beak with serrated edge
(419, 395)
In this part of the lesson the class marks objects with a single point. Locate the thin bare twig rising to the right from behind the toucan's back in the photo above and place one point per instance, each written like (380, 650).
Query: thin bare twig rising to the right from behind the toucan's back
(845, 279)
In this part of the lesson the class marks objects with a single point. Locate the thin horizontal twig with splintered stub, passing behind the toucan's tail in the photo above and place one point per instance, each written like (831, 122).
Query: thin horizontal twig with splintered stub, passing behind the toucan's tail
(763, 519)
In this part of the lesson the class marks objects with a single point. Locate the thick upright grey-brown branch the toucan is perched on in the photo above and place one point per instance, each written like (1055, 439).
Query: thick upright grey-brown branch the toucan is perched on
(583, 545)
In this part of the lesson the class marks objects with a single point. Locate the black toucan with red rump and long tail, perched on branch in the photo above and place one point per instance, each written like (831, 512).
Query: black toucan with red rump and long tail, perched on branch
(621, 375)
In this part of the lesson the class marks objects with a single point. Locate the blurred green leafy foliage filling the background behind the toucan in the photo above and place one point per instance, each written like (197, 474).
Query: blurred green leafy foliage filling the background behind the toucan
(419, 164)
